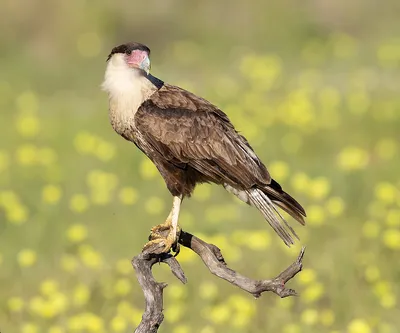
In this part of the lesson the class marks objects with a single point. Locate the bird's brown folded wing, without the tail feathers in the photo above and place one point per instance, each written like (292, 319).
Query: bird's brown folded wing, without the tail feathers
(188, 130)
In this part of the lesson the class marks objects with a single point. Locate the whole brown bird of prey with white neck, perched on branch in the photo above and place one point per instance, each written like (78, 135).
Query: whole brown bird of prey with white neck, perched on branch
(190, 141)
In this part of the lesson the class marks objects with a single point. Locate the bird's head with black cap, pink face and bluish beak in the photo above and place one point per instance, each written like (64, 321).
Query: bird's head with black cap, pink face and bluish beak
(133, 55)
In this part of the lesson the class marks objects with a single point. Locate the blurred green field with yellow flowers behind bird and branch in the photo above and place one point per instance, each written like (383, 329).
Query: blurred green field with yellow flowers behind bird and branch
(313, 85)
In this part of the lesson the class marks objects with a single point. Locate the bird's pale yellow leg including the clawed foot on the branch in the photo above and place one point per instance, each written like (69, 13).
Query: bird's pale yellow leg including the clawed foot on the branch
(165, 234)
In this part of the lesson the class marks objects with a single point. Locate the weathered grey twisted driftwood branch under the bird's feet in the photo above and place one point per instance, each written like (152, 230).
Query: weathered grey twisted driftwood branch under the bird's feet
(213, 259)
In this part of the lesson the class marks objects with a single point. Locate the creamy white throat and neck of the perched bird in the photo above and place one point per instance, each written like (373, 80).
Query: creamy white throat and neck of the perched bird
(127, 89)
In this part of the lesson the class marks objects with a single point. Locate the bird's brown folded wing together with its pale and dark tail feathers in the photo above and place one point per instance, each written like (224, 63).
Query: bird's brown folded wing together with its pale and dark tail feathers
(186, 130)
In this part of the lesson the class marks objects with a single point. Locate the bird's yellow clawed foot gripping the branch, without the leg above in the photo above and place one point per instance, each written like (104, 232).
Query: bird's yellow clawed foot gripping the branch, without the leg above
(162, 239)
